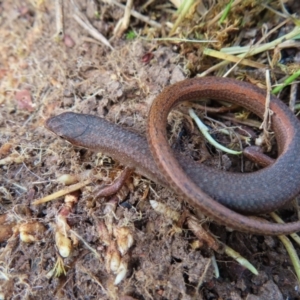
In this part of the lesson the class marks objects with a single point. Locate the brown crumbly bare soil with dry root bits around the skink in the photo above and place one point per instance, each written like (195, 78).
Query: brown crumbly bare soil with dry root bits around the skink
(43, 75)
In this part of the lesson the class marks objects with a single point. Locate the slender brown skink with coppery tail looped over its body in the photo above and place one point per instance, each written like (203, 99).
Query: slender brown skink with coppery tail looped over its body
(216, 193)
